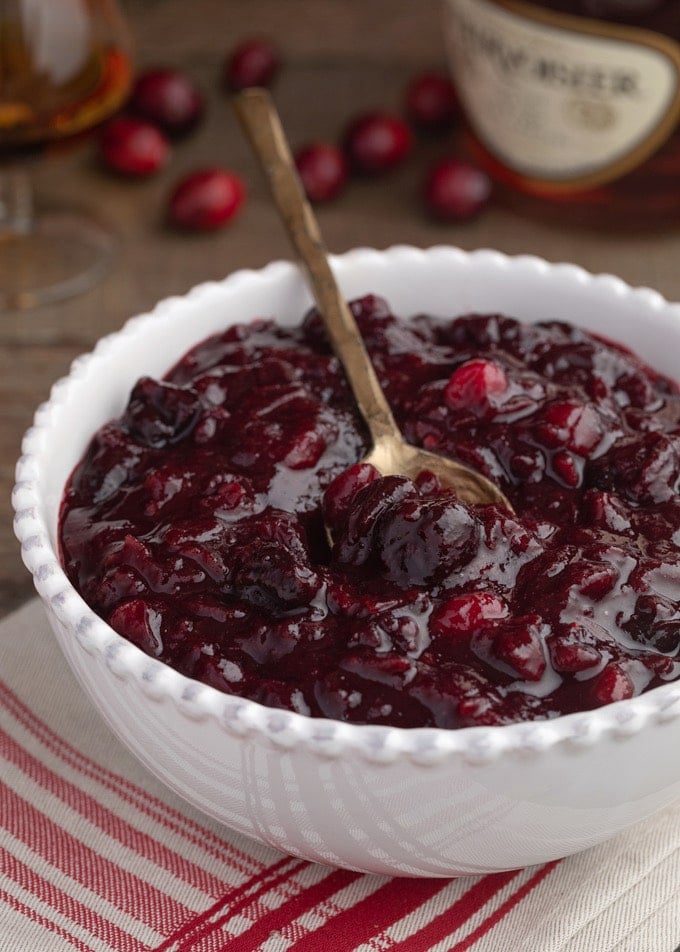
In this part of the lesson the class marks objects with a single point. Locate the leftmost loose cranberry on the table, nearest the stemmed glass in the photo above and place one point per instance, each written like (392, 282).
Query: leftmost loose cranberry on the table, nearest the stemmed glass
(133, 147)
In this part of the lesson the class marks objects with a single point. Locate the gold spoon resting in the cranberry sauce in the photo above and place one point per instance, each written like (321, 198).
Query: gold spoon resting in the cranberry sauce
(390, 454)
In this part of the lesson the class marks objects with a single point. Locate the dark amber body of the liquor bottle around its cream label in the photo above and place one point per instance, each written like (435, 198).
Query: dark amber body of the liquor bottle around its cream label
(644, 198)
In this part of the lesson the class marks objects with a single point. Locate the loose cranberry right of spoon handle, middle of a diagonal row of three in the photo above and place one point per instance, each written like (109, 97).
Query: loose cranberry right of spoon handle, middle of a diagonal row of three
(377, 142)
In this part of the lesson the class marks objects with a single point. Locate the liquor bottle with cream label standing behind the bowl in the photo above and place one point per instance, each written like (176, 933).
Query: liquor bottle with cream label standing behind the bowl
(574, 103)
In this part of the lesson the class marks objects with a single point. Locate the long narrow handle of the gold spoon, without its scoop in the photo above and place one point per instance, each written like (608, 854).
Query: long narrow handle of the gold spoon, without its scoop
(260, 121)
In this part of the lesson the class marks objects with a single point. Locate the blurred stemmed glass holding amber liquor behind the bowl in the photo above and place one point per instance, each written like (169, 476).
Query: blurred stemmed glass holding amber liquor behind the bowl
(65, 67)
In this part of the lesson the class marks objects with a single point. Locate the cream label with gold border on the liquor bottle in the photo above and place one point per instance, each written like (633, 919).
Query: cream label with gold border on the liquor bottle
(565, 99)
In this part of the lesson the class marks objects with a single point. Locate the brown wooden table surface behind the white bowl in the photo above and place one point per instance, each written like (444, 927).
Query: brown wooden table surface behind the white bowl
(342, 56)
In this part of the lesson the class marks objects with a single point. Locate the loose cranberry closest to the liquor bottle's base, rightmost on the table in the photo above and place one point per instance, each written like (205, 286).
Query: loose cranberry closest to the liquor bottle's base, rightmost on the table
(456, 191)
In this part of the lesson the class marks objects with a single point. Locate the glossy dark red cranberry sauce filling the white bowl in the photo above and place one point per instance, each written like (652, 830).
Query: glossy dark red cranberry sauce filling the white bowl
(195, 523)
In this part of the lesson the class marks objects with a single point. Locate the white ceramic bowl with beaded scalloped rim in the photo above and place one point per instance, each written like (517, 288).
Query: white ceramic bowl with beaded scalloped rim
(424, 802)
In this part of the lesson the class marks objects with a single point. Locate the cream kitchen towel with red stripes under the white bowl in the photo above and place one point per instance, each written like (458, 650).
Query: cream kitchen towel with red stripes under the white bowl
(96, 855)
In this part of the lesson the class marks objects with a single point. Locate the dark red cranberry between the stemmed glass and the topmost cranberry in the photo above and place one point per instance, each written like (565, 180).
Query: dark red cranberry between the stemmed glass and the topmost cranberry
(169, 99)
